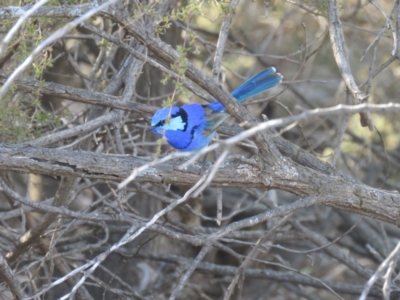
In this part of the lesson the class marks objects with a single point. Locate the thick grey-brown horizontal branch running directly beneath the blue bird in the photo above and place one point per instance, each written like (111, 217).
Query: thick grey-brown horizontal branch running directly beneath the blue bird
(335, 190)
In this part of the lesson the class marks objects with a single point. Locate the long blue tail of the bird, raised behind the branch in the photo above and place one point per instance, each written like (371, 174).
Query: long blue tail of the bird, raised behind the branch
(257, 84)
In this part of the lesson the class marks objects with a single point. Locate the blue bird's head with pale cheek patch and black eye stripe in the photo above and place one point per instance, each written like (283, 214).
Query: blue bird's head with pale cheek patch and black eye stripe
(170, 118)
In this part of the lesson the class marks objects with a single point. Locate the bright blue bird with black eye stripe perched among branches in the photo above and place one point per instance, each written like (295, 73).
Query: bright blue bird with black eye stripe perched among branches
(192, 126)
